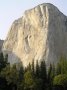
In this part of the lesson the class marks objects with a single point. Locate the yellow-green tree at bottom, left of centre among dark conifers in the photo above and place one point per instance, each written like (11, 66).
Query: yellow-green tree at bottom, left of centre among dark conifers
(29, 81)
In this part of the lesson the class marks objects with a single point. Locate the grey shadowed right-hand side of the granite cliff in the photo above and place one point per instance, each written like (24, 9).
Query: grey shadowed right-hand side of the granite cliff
(56, 37)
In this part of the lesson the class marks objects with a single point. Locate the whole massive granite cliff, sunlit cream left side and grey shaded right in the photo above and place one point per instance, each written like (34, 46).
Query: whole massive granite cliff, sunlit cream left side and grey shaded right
(41, 33)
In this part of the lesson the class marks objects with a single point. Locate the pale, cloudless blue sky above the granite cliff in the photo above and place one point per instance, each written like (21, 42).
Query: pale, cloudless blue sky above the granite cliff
(11, 10)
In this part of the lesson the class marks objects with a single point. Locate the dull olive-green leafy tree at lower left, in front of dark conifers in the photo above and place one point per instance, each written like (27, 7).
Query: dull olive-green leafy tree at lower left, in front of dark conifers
(11, 74)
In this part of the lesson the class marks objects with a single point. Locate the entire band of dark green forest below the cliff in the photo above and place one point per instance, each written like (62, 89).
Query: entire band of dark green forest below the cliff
(38, 77)
